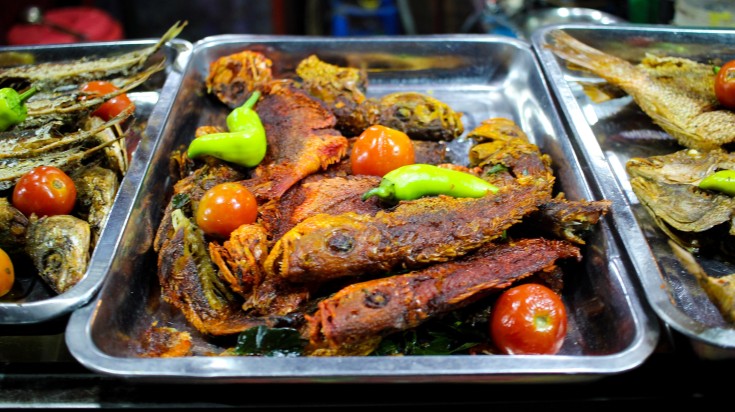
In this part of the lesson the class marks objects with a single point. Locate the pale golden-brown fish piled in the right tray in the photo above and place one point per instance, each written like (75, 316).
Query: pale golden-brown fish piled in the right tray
(688, 193)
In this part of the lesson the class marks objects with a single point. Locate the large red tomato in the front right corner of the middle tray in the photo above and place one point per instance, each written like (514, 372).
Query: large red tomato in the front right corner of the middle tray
(529, 319)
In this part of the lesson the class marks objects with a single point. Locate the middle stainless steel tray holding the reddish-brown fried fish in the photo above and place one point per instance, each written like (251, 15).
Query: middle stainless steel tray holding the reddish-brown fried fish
(482, 76)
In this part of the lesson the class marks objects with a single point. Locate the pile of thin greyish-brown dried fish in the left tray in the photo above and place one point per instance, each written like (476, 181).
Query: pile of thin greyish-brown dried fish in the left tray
(60, 131)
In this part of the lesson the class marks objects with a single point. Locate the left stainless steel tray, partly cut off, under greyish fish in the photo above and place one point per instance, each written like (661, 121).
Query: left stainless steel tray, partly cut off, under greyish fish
(36, 303)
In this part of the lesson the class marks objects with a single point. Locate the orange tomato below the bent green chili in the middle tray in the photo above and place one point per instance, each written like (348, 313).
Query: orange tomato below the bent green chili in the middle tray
(224, 208)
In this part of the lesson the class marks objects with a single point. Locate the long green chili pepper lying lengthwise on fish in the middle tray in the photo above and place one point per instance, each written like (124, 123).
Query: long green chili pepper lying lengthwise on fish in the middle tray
(417, 180)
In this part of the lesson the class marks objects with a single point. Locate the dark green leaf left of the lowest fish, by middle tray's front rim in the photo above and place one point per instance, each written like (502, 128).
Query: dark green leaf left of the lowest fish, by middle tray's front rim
(265, 341)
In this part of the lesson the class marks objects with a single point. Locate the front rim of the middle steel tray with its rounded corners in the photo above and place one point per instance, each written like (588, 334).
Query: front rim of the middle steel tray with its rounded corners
(382, 369)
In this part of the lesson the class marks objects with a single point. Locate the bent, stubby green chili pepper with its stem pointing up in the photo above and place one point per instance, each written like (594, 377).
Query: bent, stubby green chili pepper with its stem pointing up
(245, 142)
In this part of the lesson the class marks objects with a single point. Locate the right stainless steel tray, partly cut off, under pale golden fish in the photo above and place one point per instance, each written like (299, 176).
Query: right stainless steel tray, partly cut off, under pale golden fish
(599, 132)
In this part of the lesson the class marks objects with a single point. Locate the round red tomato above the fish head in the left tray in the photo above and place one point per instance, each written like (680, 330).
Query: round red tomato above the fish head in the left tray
(45, 191)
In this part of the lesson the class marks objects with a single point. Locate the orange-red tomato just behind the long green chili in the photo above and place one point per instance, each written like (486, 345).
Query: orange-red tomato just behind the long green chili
(380, 149)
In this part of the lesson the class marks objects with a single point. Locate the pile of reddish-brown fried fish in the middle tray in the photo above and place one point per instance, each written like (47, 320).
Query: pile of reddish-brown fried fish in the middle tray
(343, 271)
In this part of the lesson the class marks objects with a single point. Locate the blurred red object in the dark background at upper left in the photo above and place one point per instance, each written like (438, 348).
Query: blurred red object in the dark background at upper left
(93, 23)
